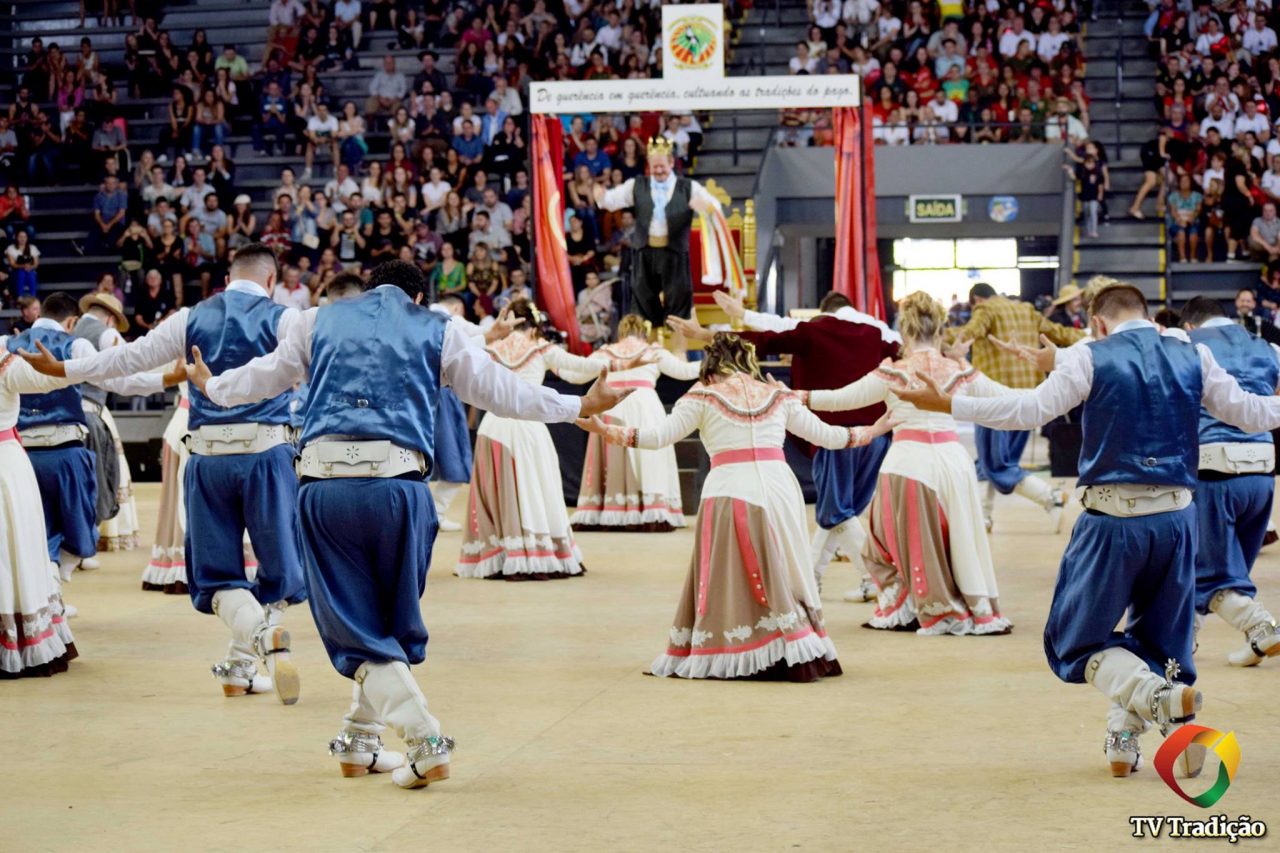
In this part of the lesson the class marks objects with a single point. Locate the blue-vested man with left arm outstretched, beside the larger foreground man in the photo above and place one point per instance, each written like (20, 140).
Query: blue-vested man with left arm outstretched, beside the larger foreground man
(240, 476)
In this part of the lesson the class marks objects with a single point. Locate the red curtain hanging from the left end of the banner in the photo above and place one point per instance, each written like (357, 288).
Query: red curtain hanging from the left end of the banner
(551, 254)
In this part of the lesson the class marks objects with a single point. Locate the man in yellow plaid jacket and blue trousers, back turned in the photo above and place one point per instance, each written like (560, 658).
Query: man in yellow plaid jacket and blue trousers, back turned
(1000, 451)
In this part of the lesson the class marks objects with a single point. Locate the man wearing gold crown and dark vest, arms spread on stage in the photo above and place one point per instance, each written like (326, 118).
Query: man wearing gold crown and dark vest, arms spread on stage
(665, 207)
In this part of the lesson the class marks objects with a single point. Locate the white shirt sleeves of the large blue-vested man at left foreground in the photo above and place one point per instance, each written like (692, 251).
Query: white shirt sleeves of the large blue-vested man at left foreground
(465, 368)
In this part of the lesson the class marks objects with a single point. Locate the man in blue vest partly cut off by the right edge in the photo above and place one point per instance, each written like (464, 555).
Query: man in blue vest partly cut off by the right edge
(1237, 483)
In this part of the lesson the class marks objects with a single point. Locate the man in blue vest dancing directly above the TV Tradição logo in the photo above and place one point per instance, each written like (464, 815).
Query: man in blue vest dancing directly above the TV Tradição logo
(1133, 551)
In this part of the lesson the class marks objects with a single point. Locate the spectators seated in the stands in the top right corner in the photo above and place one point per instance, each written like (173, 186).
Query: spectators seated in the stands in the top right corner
(1214, 166)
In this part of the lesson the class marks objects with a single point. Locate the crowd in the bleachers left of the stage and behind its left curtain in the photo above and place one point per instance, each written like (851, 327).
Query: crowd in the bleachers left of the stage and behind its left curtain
(428, 166)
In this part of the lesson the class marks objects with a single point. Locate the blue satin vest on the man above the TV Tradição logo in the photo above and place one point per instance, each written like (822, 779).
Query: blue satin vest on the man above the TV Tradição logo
(1141, 421)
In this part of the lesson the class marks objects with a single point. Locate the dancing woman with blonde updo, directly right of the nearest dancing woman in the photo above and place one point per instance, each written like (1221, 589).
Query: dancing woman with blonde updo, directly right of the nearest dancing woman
(929, 553)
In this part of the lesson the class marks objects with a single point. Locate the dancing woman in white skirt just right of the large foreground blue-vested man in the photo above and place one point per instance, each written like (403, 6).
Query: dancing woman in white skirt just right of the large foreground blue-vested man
(518, 527)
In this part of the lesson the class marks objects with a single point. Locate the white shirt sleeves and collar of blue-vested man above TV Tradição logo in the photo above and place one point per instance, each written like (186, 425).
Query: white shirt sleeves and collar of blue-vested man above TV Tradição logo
(1072, 381)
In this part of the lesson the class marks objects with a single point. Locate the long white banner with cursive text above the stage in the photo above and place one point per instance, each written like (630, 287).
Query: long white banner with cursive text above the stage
(714, 94)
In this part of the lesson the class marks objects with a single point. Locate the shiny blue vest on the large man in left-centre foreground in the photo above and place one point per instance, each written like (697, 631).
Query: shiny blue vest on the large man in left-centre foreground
(376, 371)
